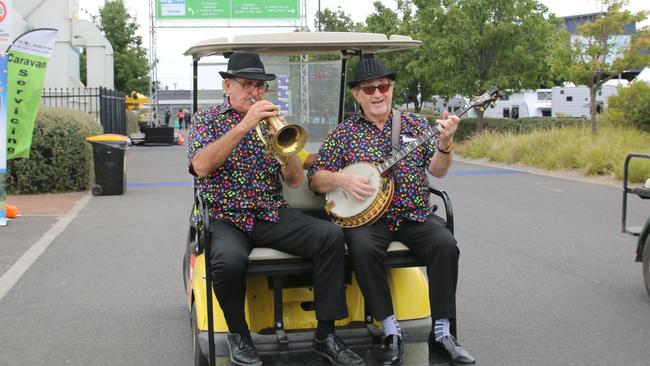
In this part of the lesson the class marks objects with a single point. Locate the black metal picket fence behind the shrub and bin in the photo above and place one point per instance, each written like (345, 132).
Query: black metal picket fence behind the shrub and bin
(106, 105)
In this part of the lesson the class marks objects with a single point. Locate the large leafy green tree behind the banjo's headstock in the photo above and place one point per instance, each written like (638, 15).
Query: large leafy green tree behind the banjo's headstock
(473, 44)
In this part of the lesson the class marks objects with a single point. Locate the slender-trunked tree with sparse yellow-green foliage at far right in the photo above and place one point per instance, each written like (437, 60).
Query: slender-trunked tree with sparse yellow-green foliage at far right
(600, 53)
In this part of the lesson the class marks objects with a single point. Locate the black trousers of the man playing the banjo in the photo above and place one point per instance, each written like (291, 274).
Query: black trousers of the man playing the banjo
(430, 241)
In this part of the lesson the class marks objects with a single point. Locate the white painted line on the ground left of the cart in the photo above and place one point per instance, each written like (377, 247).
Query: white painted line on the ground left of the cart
(22, 265)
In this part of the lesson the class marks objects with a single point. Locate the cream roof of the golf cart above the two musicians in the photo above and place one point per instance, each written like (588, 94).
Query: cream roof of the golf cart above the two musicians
(300, 43)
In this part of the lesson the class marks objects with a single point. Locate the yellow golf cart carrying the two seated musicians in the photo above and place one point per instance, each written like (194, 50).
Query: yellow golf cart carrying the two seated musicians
(279, 302)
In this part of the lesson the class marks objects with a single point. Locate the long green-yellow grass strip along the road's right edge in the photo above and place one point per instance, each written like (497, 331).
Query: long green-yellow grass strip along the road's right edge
(573, 148)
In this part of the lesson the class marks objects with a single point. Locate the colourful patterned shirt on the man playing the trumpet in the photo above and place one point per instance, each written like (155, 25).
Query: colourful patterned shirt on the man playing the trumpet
(247, 186)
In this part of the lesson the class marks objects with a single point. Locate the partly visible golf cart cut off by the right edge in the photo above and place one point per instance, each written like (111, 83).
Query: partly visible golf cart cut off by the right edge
(643, 233)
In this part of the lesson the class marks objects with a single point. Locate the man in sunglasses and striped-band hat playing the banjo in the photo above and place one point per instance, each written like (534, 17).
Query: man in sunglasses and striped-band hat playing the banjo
(367, 137)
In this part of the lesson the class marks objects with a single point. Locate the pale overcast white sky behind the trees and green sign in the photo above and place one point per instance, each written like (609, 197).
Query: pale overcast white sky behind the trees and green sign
(174, 69)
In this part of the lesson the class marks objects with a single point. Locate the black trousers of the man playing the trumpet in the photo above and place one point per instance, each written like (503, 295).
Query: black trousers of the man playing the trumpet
(296, 233)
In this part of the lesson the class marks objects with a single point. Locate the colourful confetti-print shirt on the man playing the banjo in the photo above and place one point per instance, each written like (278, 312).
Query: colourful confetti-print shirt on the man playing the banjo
(358, 140)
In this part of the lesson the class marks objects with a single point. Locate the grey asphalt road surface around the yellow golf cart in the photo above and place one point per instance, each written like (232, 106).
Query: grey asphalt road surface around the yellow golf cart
(546, 277)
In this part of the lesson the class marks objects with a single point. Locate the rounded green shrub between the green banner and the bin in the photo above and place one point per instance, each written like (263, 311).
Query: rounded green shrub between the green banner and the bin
(60, 158)
